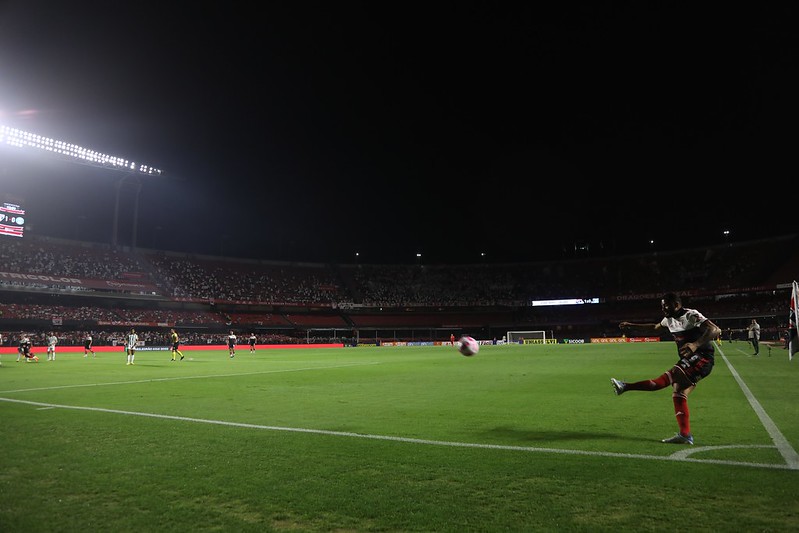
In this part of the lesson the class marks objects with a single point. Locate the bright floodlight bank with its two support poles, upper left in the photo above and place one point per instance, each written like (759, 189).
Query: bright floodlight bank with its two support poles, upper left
(77, 154)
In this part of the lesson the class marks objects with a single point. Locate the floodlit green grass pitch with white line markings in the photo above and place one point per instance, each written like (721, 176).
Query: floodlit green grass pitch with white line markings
(517, 438)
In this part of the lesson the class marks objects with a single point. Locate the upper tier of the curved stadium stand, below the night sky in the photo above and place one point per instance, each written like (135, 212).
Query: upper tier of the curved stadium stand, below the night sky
(40, 264)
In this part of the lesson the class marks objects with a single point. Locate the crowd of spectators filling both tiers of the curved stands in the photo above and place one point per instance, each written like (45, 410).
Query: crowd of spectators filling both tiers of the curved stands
(727, 281)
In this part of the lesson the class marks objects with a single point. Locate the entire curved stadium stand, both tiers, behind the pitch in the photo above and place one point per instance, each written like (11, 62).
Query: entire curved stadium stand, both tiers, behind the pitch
(76, 287)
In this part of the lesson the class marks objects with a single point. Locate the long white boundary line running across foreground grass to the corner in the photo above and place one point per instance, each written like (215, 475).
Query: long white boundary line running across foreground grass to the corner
(673, 457)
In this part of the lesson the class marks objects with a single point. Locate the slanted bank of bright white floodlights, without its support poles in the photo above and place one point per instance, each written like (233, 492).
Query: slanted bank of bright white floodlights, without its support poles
(23, 139)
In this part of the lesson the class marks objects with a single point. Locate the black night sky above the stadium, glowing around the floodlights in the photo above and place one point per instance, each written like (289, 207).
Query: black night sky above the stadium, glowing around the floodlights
(309, 132)
